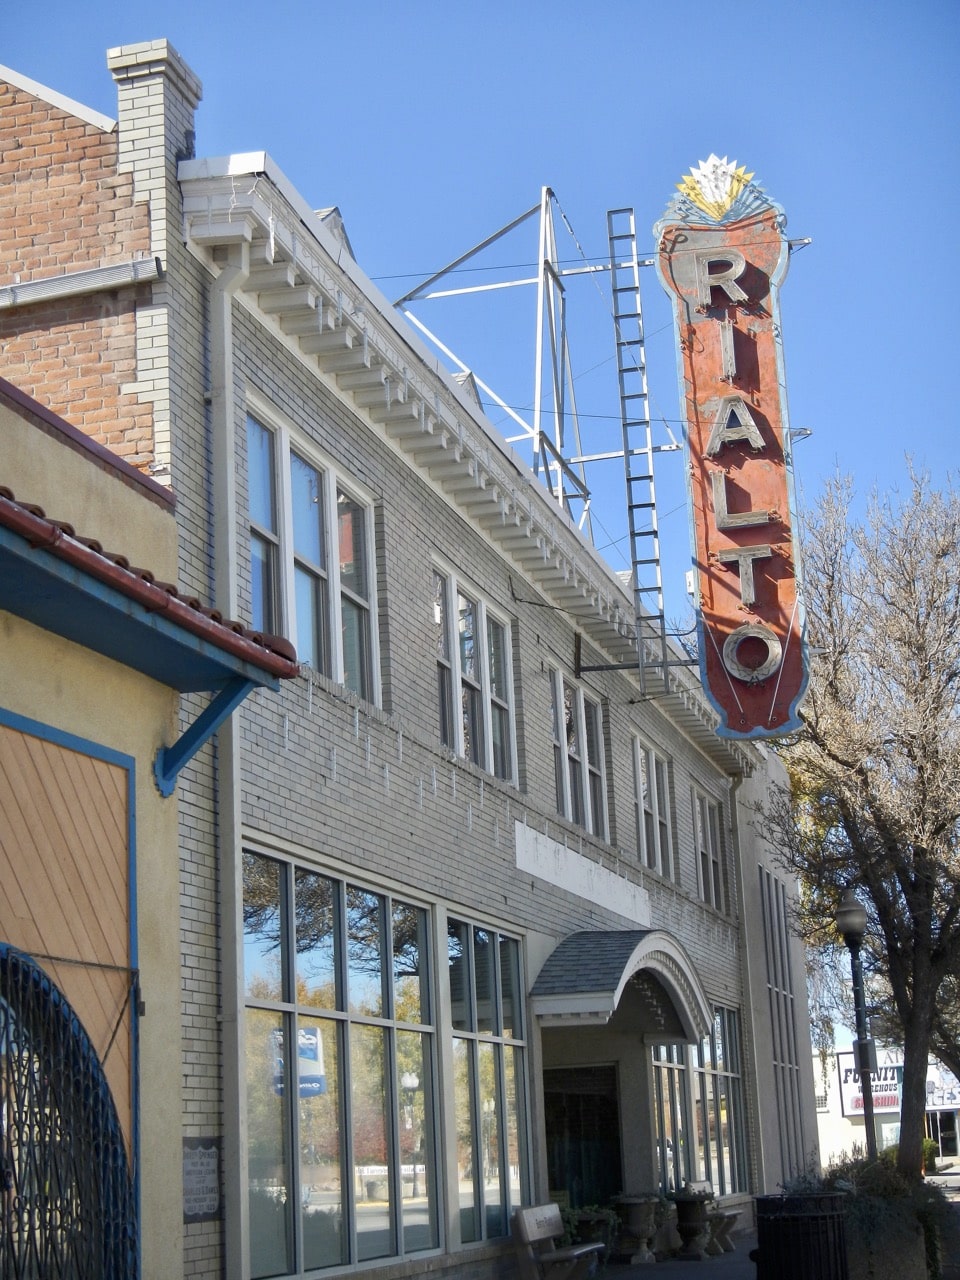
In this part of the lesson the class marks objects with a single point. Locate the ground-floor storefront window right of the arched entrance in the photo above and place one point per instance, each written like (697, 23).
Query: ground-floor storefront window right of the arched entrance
(700, 1110)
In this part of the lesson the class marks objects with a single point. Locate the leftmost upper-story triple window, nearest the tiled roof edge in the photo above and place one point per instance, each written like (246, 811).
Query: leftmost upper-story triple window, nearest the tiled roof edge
(310, 550)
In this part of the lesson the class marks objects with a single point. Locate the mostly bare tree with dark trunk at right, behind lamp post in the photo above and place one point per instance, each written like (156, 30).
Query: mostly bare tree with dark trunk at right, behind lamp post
(876, 772)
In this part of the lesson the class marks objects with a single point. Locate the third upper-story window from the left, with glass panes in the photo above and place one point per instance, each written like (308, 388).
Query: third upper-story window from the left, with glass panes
(578, 756)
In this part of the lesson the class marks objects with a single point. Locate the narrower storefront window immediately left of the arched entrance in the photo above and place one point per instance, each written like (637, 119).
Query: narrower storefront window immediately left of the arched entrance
(490, 1078)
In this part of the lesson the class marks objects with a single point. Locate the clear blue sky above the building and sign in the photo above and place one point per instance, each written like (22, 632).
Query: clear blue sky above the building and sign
(432, 125)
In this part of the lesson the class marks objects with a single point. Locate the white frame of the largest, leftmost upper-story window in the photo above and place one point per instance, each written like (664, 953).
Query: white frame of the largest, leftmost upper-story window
(289, 440)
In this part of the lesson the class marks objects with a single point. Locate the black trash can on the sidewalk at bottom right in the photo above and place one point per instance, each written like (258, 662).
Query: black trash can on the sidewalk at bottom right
(802, 1237)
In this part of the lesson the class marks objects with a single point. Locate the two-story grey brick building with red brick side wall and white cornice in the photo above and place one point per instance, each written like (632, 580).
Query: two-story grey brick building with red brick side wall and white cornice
(459, 929)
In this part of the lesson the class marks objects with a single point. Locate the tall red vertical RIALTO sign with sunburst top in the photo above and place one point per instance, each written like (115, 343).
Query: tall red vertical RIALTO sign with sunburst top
(723, 254)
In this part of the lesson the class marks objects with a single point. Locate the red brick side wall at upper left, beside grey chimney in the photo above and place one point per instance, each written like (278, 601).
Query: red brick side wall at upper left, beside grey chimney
(65, 208)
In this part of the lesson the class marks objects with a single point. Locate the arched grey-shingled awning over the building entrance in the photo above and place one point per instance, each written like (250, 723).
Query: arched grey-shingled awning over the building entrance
(587, 975)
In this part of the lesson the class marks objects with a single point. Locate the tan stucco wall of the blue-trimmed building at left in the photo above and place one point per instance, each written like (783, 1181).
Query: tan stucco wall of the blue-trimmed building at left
(107, 707)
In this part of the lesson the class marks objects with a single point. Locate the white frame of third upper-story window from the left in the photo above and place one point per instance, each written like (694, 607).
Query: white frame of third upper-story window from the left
(572, 799)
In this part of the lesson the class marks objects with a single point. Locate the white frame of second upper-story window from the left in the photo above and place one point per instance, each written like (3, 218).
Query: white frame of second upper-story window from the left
(486, 615)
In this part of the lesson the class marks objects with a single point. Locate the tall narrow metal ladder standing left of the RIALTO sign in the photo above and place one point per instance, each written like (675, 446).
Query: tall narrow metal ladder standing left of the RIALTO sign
(638, 451)
